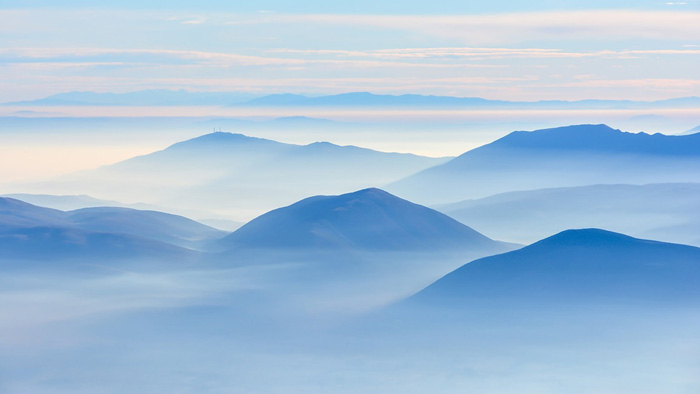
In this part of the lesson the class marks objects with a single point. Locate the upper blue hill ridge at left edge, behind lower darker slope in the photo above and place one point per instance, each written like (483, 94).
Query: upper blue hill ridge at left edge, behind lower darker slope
(19, 217)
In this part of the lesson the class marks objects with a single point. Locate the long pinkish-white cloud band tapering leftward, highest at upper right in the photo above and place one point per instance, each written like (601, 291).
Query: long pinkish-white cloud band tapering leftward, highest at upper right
(521, 27)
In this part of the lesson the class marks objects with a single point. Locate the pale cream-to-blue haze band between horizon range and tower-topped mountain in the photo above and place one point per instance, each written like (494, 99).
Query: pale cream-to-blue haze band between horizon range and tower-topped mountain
(40, 142)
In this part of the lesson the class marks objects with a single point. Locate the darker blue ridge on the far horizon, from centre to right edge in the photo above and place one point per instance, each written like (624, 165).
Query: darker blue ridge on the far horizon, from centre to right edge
(359, 99)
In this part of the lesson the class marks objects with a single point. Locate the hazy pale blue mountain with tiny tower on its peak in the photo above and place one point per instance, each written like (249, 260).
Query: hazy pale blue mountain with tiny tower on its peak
(238, 177)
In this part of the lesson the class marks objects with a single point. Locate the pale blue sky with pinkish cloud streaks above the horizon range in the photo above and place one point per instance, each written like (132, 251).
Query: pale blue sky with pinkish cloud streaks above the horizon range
(499, 49)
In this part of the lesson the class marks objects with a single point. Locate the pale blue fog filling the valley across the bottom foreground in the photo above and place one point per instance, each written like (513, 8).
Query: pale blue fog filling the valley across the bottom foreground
(235, 330)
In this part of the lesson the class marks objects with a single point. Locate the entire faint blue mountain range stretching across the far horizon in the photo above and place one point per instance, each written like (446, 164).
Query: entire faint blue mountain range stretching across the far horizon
(352, 99)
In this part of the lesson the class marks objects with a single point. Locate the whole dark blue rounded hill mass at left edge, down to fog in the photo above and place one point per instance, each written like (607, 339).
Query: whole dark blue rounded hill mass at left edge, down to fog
(29, 231)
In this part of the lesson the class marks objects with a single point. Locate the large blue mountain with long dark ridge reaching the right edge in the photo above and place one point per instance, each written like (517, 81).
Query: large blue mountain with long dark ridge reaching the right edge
(560, 157)
